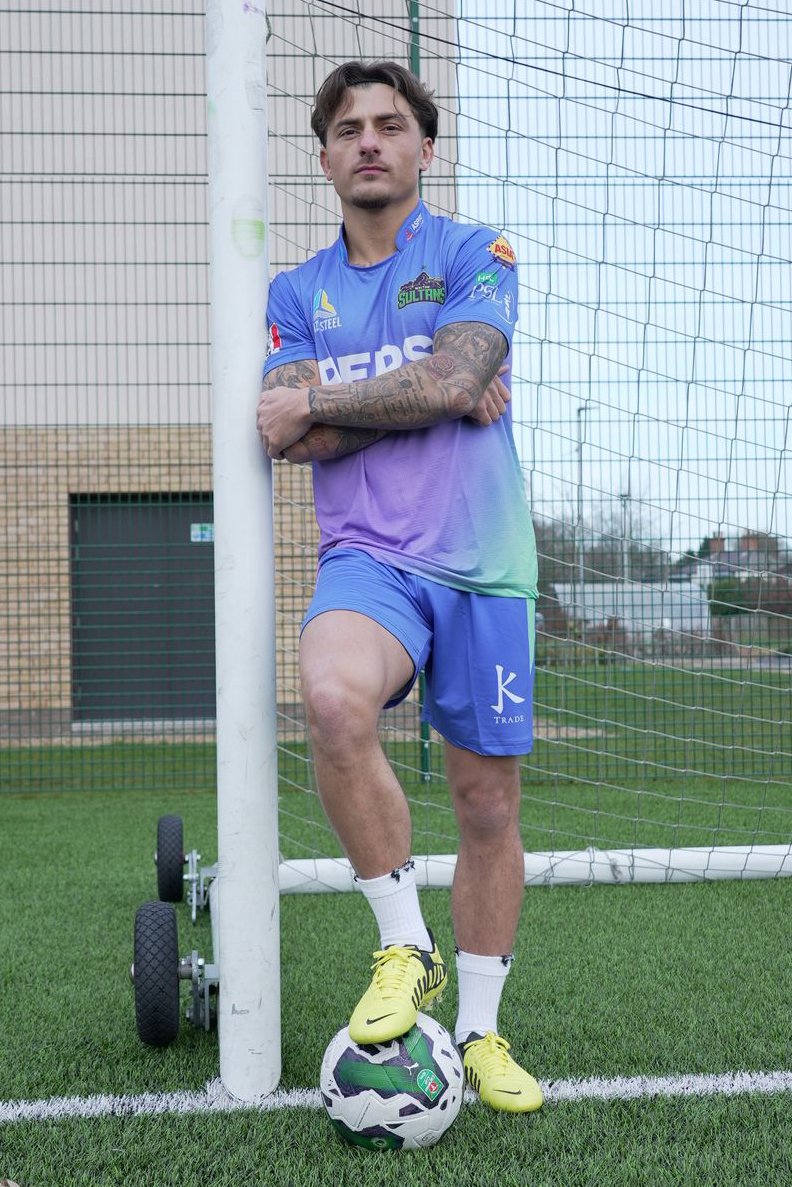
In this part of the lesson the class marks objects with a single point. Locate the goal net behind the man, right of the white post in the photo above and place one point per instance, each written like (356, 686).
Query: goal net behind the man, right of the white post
(641, 166)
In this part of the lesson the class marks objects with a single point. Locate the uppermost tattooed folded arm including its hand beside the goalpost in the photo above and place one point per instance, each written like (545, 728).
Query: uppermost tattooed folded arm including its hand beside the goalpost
(447, 385)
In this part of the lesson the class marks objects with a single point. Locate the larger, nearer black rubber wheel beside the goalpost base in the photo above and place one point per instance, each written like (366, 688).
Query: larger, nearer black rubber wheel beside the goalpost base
(156, 974)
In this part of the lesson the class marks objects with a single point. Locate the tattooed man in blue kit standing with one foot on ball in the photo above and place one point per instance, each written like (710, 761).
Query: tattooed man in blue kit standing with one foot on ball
(385, 364)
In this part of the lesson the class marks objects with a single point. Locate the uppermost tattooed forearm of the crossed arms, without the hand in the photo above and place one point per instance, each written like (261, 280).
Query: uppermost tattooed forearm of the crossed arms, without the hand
(443, 386)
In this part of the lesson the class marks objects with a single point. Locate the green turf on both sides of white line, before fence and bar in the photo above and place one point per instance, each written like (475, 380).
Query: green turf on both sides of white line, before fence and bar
(610, 982)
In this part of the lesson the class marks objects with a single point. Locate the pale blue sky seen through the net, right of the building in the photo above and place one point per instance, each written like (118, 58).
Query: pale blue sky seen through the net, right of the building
(642, 168)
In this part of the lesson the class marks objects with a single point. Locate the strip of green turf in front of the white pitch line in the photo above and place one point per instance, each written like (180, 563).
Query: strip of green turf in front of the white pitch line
(737, 1142)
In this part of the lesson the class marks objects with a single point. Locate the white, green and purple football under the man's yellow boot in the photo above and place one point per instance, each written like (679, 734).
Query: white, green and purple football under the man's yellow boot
(396, 1096)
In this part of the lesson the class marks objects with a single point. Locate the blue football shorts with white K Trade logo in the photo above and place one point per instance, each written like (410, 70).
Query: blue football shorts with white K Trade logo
(477, 650)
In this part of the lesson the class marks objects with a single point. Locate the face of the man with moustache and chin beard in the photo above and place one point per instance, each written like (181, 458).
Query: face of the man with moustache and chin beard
(376, 149)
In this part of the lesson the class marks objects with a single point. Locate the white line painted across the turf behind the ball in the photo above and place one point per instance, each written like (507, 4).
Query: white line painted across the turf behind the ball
(214, 1099)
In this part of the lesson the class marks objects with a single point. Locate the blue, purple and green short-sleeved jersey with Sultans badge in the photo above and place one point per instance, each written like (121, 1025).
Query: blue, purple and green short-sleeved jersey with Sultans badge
(447, 503)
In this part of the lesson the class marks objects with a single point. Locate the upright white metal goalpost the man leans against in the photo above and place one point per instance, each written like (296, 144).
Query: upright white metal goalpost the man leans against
(248, 833)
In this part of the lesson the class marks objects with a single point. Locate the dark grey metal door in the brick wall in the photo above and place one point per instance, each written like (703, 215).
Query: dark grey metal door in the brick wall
(143, 607)
